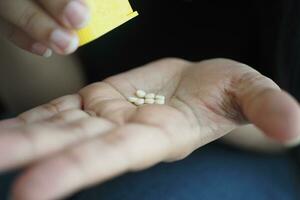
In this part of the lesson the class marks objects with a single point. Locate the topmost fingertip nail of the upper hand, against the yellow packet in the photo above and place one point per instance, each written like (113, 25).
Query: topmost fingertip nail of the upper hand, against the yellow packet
(77, 14)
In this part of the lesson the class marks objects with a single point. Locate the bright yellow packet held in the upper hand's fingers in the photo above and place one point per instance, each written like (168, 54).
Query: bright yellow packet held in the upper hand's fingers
(106, 15)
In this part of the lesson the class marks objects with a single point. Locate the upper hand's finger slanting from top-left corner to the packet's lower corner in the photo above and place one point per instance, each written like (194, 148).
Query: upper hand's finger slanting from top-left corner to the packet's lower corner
(31, 19)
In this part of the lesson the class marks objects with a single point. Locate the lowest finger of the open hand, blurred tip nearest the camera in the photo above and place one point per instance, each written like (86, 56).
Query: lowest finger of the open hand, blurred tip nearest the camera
(129, 148)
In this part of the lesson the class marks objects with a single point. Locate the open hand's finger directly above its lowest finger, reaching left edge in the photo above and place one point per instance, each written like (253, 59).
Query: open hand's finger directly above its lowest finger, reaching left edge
(26, 144)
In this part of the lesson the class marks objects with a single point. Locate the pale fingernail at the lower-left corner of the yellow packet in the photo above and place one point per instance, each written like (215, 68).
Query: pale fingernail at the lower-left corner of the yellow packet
(63, 42)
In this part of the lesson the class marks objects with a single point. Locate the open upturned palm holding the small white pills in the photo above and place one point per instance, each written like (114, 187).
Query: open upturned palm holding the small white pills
(87, 138)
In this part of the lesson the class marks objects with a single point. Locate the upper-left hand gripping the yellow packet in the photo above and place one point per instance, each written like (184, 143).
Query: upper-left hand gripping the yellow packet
(38, 25)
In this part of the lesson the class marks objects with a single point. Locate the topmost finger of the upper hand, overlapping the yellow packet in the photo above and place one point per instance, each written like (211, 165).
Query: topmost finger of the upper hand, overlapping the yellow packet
(73, 14)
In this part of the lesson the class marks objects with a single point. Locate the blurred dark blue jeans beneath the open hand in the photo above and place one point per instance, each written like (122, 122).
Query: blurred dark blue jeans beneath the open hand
(213, 172)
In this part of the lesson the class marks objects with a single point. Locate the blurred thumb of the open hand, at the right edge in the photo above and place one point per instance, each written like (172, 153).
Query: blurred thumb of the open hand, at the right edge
(272, 110)
